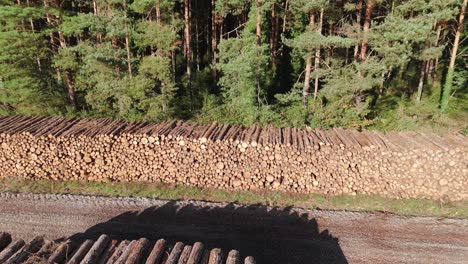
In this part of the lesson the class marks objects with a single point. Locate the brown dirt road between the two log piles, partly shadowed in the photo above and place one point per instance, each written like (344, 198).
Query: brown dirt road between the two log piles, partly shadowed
(272, 235)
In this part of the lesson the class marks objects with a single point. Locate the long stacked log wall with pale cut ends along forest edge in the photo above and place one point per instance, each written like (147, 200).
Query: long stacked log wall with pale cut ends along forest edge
(335, 162)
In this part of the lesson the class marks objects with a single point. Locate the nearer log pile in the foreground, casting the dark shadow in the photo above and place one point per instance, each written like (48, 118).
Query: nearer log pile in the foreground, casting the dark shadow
(107, 251)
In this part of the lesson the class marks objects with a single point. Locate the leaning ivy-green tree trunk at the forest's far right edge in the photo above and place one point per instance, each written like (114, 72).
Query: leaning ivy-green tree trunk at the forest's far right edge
(451, 70)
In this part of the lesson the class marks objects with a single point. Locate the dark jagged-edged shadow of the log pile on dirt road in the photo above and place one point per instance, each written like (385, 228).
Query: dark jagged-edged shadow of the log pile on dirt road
(270, 235)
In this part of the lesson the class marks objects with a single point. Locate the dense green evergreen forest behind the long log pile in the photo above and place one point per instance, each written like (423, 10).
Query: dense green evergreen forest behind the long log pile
(396, 64)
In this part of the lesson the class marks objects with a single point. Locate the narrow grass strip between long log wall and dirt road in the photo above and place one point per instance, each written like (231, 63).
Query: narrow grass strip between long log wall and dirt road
(367, 203)
